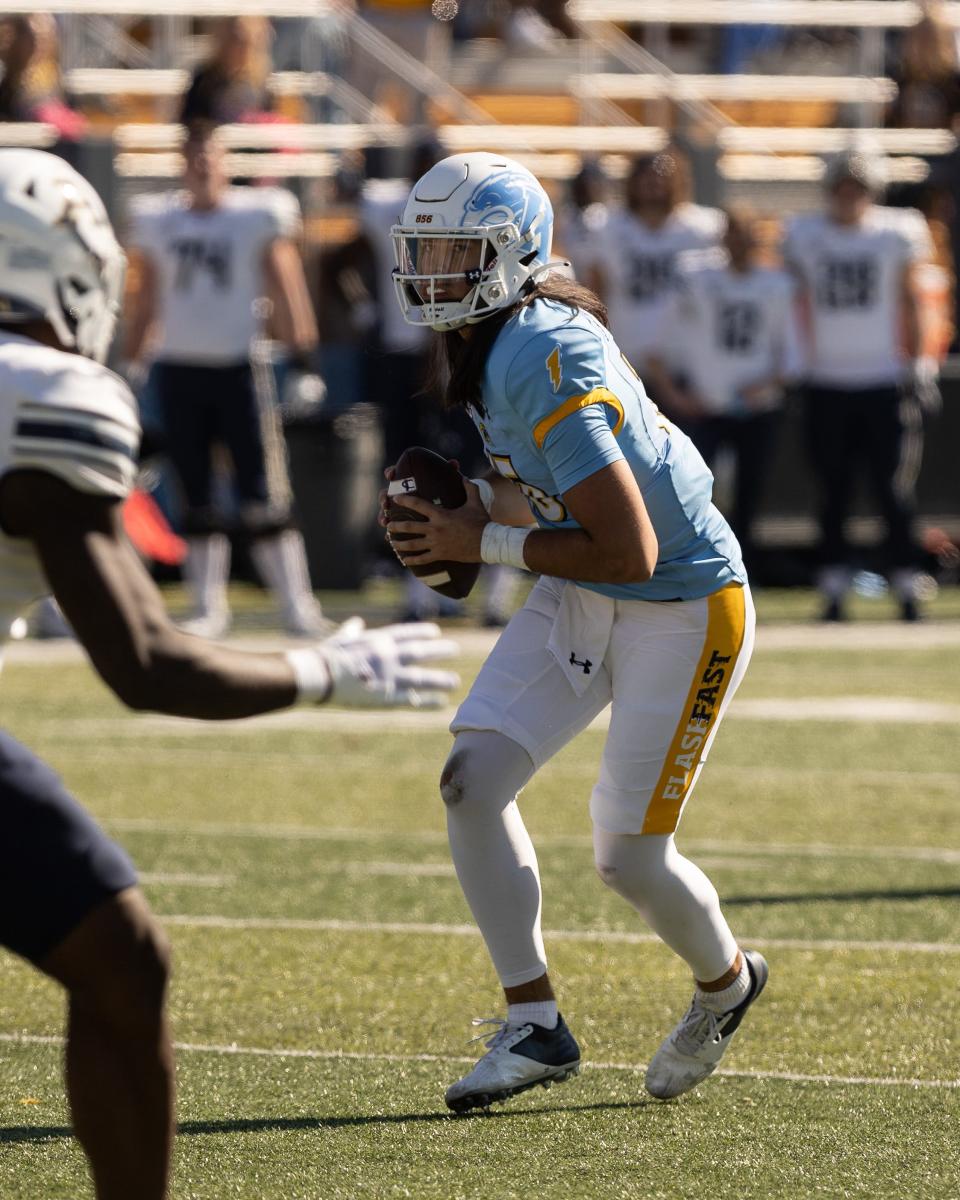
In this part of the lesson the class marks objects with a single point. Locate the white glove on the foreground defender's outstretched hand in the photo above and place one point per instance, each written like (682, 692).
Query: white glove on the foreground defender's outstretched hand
(376, 668)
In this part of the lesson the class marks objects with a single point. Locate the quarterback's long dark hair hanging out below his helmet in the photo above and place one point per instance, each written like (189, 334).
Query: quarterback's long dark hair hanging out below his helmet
(457, 363)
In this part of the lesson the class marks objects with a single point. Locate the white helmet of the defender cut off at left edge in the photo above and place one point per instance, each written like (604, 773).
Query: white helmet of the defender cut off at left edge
(59, 259)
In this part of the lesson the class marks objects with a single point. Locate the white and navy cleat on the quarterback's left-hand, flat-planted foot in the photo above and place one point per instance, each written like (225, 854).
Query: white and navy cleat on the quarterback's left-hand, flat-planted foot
(519, 1058)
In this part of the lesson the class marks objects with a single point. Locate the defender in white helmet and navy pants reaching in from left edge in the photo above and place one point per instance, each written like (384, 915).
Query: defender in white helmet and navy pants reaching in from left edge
(69, 897)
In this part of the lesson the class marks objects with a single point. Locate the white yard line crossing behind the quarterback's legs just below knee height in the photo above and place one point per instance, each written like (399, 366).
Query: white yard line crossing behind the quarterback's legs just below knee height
(436, 837)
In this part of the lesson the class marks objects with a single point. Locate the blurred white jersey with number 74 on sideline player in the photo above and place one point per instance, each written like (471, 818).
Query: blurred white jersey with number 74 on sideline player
(211, 269)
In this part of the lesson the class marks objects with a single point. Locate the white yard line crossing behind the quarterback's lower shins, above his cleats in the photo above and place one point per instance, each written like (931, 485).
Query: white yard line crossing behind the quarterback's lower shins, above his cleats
(619, 937)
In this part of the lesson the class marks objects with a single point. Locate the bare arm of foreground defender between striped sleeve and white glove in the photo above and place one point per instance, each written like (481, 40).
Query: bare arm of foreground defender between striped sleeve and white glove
(119, 616)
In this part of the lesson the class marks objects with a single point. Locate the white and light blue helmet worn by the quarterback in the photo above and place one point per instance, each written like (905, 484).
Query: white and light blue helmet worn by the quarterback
(476, 229)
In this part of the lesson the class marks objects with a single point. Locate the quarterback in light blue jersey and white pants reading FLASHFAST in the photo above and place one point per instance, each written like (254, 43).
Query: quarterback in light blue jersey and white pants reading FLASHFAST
(643, 604)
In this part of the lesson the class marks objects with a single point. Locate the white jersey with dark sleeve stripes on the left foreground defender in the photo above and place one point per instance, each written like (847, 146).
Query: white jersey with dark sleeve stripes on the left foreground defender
(67, 416)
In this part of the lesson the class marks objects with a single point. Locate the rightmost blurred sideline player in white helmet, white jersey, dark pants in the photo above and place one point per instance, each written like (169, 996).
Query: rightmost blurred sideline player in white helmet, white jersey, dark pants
(867, 377)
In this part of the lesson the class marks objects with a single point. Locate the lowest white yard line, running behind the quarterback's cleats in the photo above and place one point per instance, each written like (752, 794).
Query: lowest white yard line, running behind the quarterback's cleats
(232, 1049)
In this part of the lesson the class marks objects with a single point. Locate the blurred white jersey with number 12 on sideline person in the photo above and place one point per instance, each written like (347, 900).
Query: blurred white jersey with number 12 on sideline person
(724, 331)
